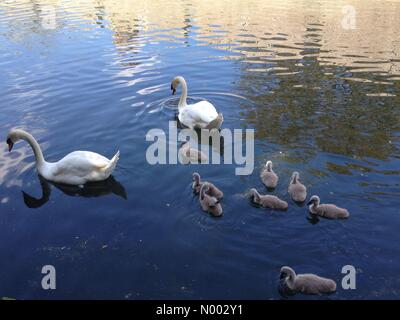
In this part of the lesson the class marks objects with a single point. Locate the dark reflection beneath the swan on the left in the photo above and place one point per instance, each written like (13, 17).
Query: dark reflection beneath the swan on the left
(89, 190)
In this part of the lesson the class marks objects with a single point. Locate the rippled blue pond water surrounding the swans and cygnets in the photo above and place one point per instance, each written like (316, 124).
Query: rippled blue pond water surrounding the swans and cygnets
(323, 99)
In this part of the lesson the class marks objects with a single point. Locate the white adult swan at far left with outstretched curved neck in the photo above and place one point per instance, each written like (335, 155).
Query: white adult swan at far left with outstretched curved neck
(76, 168)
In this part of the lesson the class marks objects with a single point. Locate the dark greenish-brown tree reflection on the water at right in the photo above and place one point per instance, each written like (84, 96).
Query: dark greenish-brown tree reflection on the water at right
(325, 111)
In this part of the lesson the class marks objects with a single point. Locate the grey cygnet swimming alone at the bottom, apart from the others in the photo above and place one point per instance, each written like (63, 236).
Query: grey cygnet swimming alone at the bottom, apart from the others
(306, 283)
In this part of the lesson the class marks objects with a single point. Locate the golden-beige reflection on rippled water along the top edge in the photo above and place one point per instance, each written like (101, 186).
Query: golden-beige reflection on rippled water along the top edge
(281, 29)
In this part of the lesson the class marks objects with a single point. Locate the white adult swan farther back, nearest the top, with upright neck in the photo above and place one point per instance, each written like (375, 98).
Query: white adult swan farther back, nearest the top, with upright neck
(202, 115)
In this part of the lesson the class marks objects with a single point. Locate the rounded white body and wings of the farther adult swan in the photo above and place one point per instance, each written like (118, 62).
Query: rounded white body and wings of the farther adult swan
(199, 114)
